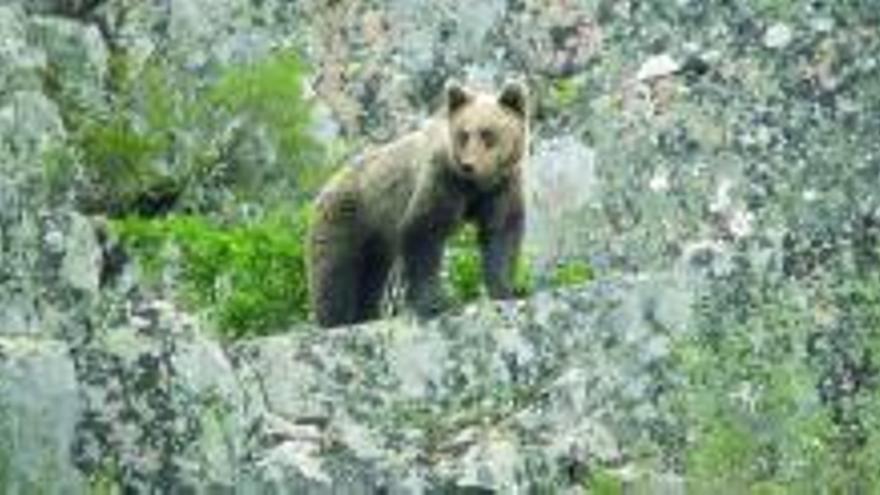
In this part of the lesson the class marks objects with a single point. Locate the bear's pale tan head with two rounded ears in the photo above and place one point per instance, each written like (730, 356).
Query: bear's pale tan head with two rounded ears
(487, 132)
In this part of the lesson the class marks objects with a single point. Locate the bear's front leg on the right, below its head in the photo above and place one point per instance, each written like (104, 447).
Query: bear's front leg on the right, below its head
(501, 224)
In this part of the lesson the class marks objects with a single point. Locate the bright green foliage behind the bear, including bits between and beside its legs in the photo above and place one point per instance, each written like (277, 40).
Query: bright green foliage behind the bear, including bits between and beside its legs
(251, 278)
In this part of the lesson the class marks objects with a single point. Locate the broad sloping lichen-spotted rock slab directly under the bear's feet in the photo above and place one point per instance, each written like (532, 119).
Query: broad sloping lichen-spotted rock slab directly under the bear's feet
(506, 397)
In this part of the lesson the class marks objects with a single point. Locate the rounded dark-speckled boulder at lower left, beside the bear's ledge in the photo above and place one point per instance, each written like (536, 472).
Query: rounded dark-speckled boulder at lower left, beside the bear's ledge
(161, 402)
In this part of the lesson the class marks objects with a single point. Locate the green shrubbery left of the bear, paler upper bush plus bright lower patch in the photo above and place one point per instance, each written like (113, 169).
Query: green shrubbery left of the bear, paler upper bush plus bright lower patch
(169, 141)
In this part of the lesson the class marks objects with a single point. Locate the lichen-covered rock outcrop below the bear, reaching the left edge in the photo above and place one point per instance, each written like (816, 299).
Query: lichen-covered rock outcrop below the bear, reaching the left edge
(504, 397)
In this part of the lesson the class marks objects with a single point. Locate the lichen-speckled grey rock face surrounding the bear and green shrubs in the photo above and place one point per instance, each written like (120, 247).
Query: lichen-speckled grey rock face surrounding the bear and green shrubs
(680, 143)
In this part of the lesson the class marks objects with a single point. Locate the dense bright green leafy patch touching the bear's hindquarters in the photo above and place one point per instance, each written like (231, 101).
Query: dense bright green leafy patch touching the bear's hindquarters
(252, 278)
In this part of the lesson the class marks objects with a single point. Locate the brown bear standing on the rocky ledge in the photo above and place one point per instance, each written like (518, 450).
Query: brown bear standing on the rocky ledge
(406, 198)
